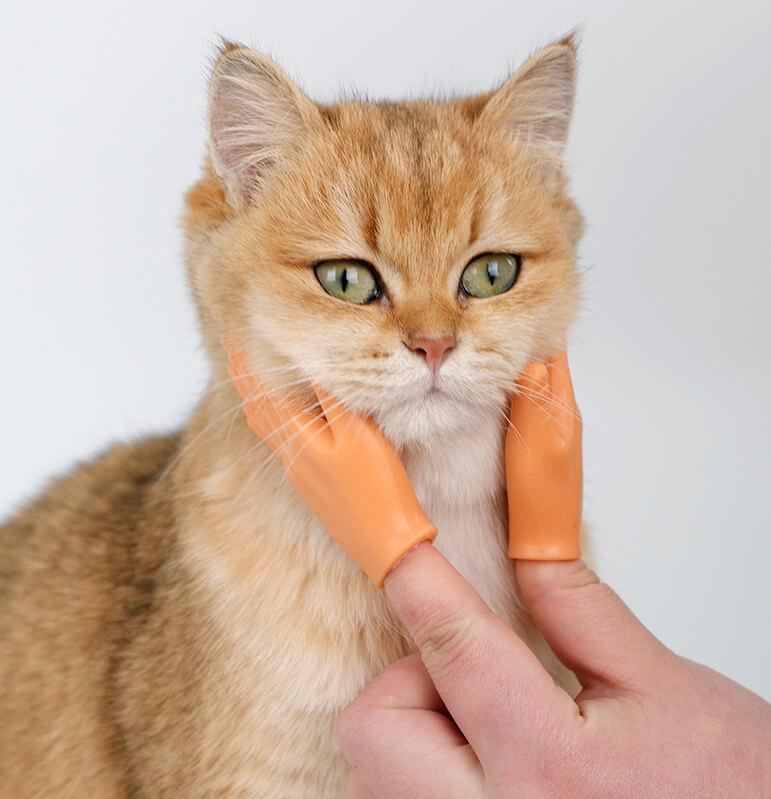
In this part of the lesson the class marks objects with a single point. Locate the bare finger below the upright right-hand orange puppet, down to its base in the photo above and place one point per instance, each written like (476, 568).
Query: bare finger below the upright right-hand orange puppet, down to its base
(588, 626)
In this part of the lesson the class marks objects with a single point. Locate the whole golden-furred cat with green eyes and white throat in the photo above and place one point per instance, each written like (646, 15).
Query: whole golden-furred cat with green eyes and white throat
(173, 621)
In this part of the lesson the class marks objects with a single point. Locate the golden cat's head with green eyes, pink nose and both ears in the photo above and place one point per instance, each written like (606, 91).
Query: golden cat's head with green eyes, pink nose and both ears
(410, 257)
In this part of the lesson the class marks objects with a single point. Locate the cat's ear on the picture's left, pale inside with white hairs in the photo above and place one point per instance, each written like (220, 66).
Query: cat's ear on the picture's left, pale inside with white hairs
(256, 115)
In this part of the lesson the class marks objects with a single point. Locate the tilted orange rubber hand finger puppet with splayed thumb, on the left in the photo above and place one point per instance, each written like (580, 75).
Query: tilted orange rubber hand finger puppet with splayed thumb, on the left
(342, 466)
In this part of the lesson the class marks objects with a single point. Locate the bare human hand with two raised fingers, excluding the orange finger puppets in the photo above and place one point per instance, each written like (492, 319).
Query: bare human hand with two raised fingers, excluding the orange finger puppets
(476, 715)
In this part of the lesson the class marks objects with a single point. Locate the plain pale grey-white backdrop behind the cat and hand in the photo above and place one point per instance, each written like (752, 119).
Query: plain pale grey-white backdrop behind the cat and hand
(102, 130)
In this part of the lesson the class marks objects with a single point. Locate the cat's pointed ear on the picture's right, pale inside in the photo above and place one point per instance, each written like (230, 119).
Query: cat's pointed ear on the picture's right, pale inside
(536, 102)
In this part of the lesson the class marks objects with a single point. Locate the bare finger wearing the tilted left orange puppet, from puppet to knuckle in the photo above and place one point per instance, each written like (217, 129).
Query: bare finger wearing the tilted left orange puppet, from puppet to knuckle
(492, 684)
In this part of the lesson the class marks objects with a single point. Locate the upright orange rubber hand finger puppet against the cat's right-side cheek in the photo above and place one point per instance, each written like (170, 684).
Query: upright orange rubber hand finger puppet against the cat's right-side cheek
(544, 466)
